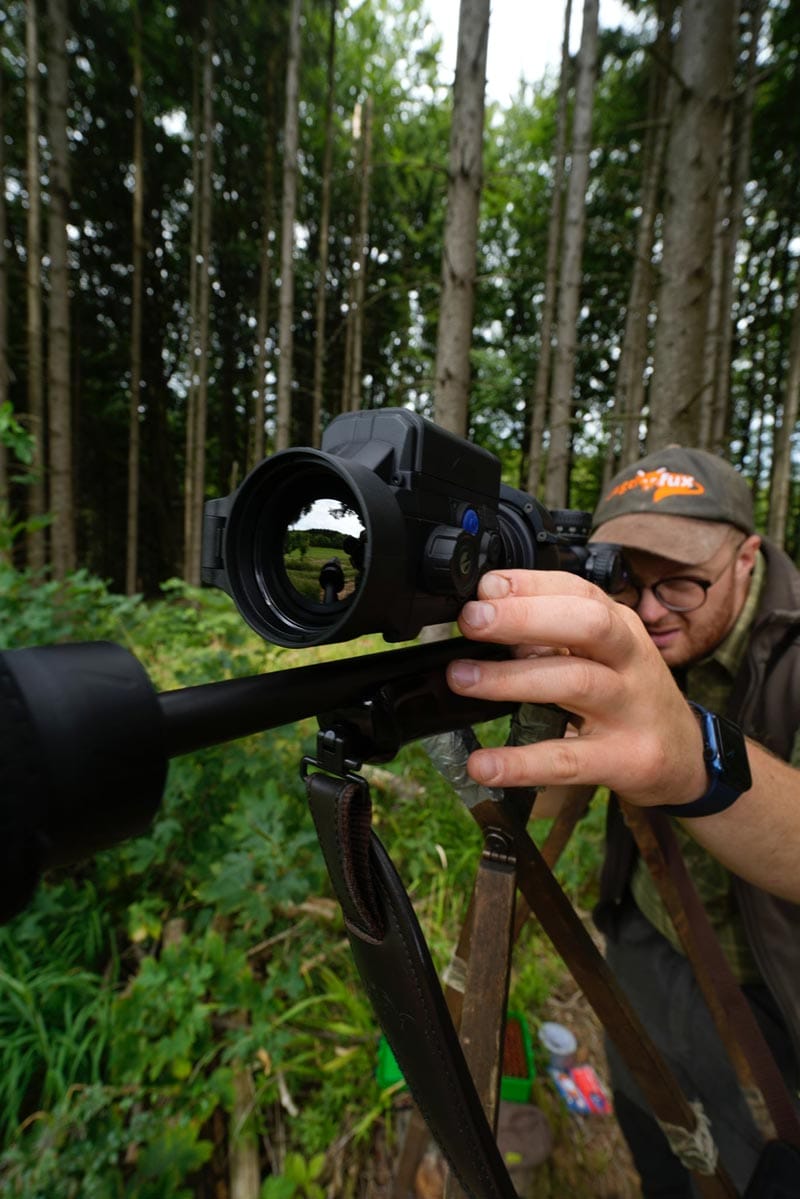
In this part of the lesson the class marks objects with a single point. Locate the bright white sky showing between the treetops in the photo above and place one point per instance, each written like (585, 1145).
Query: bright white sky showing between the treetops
(525, 38)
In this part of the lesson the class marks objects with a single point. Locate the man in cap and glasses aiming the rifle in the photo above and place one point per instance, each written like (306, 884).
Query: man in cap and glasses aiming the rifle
(711, 614)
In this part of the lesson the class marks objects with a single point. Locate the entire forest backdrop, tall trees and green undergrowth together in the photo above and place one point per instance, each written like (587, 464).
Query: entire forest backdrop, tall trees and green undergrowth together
(221, 226)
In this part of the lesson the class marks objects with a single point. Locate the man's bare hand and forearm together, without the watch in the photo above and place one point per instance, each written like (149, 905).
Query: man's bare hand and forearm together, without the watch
(636, 733)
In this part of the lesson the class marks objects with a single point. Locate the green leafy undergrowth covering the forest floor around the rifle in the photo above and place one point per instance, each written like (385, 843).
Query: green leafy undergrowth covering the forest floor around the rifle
(185, 1007)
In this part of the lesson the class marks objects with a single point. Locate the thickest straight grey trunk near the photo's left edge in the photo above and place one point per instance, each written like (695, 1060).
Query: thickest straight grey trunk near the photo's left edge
(63, 539)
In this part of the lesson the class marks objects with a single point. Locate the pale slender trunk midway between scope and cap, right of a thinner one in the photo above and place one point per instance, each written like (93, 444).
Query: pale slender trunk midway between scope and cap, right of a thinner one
(558, 460)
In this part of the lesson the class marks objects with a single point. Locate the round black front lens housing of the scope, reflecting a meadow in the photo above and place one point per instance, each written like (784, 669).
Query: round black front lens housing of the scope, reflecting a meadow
(299, 547)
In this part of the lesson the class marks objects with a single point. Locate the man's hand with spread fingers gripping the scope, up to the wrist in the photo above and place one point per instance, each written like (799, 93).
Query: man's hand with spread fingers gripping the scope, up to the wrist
(574, 647)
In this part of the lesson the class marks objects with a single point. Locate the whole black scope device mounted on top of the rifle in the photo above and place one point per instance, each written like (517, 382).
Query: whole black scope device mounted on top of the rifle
(388, 528)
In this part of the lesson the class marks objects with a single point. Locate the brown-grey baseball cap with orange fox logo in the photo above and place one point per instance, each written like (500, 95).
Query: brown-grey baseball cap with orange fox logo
(676, 503)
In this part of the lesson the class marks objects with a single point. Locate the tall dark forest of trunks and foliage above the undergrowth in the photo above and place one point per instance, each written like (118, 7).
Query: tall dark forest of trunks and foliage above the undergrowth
(221, 230)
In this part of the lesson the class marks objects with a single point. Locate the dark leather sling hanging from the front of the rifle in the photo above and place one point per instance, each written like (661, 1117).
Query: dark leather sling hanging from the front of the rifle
(401, 981)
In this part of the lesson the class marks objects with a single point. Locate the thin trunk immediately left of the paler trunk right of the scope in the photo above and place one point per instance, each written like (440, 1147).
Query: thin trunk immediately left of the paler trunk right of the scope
(543, 382)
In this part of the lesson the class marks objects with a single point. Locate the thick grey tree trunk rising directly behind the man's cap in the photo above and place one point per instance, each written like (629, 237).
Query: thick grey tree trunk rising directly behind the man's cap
(705, 69)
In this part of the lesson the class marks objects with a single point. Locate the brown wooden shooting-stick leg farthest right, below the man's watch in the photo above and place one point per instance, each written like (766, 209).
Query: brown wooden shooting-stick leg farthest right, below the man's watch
(739, 1029)
